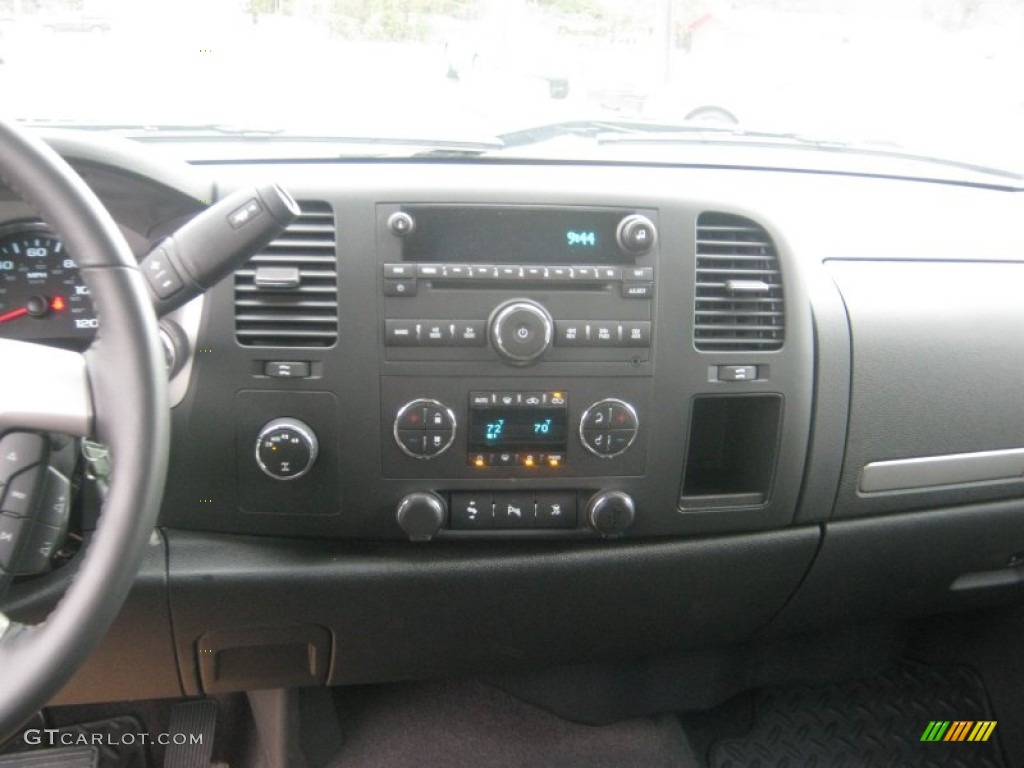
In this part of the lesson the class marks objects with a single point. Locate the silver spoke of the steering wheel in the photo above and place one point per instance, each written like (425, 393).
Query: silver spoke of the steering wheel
(45, 389)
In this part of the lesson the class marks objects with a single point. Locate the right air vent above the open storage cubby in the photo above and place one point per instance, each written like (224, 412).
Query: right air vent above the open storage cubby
(739, 303)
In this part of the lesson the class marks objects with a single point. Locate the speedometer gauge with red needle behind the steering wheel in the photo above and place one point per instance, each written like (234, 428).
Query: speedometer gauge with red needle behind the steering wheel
(42, 296)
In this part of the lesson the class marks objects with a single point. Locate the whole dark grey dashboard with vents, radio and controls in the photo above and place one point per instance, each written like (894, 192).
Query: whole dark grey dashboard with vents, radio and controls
(606, 410)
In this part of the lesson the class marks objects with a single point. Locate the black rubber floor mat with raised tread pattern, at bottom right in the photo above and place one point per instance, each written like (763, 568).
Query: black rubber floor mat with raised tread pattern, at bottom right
(878, 722)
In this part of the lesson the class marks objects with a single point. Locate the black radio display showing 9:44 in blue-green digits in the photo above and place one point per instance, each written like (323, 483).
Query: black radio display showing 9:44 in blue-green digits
(515, 236)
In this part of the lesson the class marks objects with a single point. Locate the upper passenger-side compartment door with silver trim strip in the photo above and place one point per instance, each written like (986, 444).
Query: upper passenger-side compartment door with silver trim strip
(935, 408)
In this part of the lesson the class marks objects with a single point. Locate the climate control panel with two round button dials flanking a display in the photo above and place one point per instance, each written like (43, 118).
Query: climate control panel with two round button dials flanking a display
(441, 431)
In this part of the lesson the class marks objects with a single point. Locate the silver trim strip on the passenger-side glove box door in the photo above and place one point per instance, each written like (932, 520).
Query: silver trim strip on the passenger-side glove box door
(935, 472)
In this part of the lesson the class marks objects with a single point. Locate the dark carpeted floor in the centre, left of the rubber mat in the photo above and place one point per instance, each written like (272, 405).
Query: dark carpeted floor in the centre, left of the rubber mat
(463, 726)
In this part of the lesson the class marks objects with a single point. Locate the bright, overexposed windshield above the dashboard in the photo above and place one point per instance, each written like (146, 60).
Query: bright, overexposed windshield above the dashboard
(940, 78)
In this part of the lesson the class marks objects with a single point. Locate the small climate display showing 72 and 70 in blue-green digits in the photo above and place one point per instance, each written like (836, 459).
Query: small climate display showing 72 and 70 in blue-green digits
(519, 430)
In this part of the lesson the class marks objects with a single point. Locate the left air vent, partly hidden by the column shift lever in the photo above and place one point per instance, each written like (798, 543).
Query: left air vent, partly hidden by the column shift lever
(287, 295)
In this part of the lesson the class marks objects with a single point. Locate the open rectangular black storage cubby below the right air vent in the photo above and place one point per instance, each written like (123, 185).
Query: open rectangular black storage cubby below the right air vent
(732, 456)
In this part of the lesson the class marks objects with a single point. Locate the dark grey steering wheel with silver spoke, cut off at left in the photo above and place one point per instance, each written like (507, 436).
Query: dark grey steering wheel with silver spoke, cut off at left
(116, 391)
